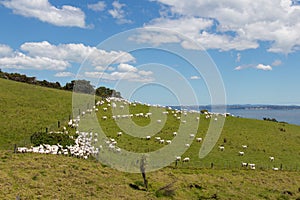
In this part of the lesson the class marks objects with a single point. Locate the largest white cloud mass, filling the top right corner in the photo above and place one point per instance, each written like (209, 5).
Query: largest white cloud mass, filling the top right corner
(238, 24)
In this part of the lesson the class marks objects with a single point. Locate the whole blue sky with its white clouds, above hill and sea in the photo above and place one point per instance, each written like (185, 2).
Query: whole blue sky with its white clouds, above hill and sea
(251, 47)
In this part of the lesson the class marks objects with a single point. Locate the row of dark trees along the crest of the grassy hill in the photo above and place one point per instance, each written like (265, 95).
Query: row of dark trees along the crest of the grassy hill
(81, 86)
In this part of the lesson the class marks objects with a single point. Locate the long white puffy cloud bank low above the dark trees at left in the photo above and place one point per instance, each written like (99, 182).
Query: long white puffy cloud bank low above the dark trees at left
(43, 55)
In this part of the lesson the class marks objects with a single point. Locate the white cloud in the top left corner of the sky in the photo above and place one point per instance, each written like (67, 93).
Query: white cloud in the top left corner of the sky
(44, 11)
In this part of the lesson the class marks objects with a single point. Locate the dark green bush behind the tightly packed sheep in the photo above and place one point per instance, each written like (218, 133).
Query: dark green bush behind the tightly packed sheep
(51, 139)
